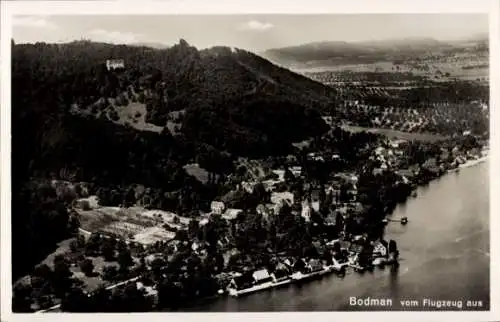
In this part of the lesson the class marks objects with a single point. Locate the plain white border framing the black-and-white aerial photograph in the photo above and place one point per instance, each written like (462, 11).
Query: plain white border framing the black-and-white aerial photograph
(144, 7)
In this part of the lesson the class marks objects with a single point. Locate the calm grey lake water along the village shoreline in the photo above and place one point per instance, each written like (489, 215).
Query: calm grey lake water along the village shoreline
(444, 256)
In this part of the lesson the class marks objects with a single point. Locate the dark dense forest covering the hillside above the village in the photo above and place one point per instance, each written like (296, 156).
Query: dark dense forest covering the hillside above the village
(235, 103)
